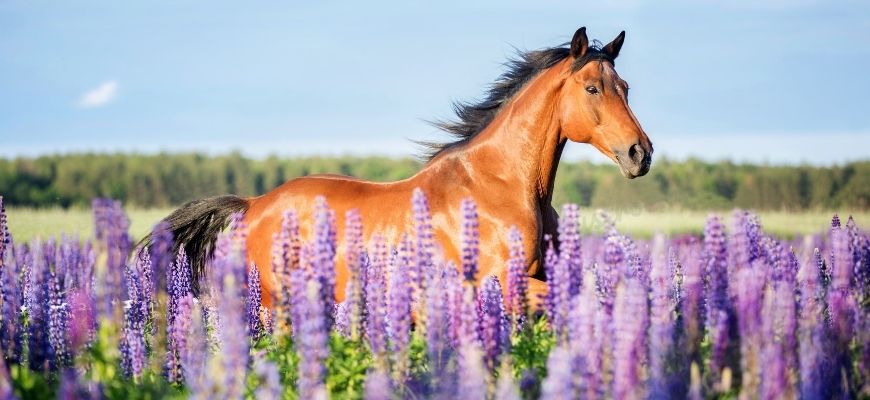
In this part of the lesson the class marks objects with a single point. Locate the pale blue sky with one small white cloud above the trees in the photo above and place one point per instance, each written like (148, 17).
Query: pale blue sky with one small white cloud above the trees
(780, 82)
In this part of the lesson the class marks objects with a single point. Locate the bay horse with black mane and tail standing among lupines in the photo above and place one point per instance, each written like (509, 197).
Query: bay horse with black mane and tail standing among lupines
(506, 156)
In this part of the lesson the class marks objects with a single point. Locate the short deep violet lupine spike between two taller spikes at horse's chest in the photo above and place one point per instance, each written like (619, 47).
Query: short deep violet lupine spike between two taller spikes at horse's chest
(493, 326)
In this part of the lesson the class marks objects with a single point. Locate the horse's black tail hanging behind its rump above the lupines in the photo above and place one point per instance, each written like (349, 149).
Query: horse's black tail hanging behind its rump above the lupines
(196, 225)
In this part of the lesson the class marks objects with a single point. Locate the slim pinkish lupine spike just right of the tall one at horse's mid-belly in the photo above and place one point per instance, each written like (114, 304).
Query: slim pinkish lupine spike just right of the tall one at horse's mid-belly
(353, 232)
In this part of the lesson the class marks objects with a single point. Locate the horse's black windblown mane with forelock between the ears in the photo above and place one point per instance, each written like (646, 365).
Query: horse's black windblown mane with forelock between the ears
(473, 117)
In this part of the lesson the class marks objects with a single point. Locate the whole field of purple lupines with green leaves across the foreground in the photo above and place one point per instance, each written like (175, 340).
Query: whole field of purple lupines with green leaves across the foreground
(733, 313)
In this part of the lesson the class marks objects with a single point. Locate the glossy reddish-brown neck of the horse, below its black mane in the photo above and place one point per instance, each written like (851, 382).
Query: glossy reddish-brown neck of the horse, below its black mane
(522, 145)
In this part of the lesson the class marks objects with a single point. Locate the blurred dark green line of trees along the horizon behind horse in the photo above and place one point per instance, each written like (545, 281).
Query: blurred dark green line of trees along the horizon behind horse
(164, 180)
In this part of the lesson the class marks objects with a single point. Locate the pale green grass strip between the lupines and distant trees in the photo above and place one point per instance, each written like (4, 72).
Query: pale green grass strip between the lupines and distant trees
(28, 223)
